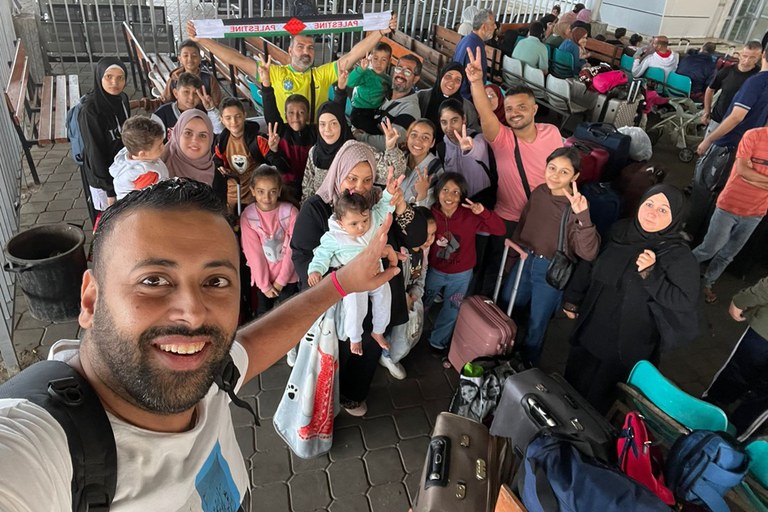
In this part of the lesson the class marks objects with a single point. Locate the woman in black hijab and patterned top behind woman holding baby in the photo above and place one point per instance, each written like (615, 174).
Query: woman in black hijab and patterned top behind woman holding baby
(333, 132)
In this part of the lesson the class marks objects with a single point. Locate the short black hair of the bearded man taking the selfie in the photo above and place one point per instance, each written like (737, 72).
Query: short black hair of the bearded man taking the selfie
(172, 194)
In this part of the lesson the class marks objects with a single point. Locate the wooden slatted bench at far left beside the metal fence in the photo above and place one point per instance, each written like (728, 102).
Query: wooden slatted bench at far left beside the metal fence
(38, 111)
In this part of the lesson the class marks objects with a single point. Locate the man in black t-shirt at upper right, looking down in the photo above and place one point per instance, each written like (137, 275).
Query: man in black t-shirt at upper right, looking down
(729, 80)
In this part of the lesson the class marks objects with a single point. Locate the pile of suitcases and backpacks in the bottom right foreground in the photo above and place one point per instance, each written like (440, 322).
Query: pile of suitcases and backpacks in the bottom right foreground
(548, 450)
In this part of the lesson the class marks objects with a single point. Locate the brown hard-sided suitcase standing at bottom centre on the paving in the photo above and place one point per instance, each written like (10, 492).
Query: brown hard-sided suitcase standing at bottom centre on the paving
(464, 468)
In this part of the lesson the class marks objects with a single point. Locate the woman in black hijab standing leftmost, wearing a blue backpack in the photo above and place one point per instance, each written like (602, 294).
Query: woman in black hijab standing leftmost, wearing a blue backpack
(101, 118)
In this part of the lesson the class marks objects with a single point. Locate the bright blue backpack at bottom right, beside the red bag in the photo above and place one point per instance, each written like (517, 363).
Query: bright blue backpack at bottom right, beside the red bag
(703, 466)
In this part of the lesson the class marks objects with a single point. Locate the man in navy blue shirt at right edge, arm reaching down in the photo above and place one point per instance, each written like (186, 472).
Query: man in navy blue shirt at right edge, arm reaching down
(749, 109)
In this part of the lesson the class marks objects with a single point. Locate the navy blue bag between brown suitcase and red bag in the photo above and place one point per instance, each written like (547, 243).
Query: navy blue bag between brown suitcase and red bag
(558, 477)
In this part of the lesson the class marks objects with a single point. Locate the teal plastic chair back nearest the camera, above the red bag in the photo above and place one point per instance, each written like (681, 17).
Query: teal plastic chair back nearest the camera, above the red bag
(689, 411)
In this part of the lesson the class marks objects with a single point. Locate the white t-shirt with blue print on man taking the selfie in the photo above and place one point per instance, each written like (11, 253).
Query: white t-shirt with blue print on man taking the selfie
(199, 470)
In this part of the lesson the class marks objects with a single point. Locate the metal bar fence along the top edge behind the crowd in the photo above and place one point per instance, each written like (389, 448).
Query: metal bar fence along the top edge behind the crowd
(81, 32)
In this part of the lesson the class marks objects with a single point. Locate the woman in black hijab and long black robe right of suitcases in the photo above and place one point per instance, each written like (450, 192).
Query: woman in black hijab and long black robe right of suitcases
(645, 276)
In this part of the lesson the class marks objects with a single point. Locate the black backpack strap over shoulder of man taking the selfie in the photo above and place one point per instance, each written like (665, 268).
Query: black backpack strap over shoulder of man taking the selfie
(69, 398)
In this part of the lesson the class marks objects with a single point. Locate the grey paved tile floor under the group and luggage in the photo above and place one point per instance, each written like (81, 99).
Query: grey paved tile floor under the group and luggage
(376, 461)
